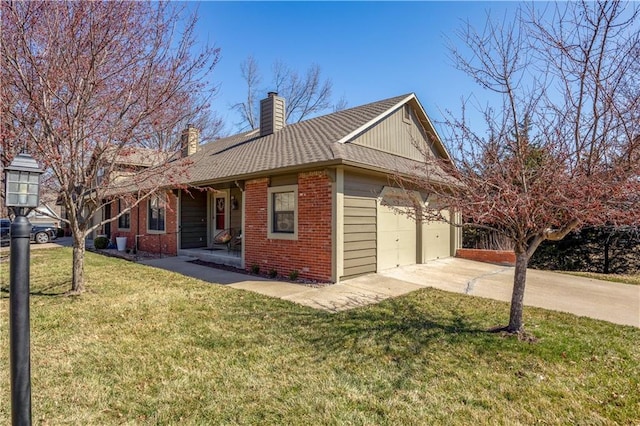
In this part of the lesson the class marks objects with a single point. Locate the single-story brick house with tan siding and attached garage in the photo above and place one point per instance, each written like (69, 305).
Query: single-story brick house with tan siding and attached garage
(316, 197)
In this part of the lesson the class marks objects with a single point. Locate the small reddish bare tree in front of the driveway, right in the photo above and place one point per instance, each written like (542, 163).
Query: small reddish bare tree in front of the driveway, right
(561, 150)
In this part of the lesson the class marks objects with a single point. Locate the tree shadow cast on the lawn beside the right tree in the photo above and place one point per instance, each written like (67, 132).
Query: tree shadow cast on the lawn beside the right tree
(406, 326)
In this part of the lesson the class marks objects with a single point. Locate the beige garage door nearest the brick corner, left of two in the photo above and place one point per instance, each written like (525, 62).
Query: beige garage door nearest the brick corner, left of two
(397, 243)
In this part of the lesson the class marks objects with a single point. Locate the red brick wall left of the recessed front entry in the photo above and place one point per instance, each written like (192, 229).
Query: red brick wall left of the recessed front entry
(165, 243)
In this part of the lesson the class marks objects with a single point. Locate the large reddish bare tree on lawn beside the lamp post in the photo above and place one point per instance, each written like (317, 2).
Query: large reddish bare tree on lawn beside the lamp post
(87, 82)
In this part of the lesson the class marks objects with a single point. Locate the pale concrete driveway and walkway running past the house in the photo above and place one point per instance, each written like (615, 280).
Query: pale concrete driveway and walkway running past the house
(613, 302)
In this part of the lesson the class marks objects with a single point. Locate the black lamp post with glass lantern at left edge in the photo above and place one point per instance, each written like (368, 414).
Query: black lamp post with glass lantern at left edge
(22, 178)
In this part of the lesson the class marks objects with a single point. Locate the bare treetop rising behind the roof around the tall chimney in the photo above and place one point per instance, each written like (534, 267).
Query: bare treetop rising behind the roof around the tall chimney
(305, 95)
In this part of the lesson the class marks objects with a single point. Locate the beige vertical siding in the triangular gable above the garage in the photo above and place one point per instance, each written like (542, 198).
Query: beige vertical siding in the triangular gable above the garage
(397, 135)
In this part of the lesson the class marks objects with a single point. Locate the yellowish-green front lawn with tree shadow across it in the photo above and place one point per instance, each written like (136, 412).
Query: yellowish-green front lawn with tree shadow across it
(145, 346)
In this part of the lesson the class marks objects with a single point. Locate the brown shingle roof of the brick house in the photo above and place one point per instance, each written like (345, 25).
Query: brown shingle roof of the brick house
(313, 141)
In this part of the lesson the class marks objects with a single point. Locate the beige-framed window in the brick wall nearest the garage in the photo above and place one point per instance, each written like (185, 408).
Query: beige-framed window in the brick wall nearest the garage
(283, 212)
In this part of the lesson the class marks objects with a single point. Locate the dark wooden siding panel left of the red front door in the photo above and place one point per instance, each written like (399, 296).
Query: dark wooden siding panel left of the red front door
(193, 219)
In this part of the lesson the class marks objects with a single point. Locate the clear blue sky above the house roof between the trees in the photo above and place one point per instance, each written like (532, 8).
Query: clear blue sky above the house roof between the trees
(370, 50)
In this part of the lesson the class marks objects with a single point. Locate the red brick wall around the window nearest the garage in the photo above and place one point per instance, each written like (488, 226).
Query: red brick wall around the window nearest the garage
(310, 254)
